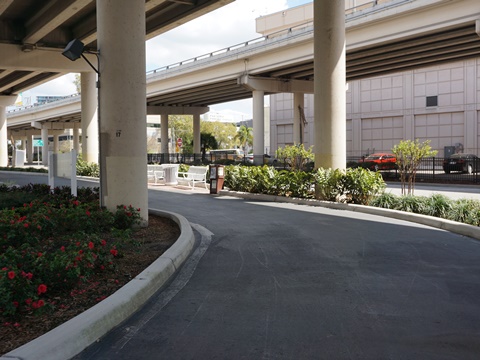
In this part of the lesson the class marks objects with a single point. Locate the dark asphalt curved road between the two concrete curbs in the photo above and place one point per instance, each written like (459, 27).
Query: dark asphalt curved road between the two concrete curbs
(284, 281)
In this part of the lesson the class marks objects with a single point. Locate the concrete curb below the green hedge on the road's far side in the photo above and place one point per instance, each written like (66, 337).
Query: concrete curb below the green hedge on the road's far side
(452, 226)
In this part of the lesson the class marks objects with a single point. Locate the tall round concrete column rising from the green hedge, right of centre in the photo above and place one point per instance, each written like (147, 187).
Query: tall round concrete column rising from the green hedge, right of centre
(329, 84)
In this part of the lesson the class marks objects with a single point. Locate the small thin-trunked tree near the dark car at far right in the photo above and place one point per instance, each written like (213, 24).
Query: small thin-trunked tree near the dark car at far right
(409, 154)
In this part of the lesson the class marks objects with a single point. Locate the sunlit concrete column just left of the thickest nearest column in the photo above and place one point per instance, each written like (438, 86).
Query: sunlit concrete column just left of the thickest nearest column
(89, 117)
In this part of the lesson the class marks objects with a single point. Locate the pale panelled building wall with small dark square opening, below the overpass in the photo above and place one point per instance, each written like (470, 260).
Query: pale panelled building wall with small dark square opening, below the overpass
(437, 103)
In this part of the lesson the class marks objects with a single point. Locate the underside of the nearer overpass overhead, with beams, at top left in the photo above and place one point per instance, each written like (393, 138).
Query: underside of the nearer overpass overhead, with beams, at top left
(30, 30)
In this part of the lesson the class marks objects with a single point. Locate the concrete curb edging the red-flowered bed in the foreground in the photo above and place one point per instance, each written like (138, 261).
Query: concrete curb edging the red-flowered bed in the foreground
(72, 337)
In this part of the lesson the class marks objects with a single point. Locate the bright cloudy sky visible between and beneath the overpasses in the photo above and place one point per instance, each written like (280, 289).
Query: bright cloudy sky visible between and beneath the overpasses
(232, 24)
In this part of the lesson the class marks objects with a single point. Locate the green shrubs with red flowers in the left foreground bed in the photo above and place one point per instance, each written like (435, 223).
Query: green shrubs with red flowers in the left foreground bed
(49, 245)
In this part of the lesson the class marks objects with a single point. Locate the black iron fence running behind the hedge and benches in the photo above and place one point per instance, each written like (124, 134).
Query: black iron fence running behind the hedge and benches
(431, 170)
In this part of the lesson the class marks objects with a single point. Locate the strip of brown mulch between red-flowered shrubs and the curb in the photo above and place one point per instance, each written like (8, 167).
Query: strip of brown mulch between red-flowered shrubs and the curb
(154, 240)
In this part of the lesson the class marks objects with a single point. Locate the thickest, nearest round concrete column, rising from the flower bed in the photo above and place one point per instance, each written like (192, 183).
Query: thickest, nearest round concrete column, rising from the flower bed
(122, 107)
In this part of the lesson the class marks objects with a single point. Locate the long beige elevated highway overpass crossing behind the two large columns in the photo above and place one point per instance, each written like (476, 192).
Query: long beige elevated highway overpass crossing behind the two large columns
(387, 37)
